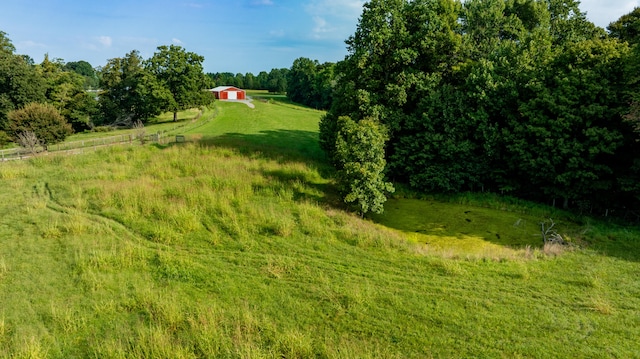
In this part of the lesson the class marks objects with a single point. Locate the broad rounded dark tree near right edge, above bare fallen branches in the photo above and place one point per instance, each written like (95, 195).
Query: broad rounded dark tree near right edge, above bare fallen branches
(568, 144)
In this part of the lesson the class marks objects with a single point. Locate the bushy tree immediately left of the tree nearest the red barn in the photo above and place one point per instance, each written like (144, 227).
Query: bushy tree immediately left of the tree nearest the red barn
(131, 92)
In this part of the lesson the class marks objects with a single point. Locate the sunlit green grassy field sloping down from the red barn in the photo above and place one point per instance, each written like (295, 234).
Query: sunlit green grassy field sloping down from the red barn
(234, 246)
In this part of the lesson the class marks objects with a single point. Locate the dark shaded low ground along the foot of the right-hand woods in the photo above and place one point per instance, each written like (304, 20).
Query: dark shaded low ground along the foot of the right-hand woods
(464, 226)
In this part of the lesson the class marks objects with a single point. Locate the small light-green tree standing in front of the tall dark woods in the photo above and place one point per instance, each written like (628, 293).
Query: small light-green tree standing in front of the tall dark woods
(360, 157)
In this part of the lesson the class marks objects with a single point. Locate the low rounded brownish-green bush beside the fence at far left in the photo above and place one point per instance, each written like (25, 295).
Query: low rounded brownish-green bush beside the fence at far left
(44, 120)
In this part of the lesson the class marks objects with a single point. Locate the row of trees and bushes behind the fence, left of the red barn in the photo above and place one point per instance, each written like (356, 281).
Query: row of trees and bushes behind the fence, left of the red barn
(41, 104)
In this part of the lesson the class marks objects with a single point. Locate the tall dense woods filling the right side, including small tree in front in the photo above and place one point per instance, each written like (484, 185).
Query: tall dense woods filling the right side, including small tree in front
(520, 97)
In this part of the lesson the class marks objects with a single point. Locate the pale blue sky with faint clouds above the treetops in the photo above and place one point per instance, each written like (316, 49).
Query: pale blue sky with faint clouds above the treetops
(232, 35)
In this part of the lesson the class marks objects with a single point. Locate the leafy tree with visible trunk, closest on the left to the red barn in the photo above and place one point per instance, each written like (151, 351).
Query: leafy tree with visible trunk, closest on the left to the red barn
(181, 73)
